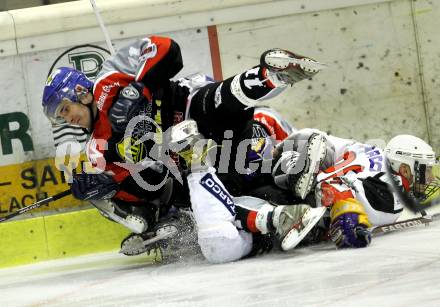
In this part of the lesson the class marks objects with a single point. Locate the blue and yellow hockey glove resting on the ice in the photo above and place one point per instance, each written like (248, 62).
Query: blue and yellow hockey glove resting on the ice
(349, 224)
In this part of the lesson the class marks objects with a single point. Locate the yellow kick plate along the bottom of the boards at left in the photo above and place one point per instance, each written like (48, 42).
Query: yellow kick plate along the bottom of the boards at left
(58, 236)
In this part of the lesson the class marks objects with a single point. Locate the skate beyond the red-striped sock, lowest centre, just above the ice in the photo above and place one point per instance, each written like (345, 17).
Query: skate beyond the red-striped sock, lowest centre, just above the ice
(294, 222)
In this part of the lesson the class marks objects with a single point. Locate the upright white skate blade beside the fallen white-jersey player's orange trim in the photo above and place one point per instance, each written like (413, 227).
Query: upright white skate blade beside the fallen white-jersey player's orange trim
(316, 151)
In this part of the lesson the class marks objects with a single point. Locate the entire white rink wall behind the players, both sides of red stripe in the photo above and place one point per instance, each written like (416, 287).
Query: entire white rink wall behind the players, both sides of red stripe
(383, 58)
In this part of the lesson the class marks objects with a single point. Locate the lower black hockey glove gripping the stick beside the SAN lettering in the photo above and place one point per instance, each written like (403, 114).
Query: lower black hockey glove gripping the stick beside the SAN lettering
(93, 186)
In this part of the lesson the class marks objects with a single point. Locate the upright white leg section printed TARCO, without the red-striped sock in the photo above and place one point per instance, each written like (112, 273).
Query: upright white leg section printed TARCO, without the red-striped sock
(213, 208)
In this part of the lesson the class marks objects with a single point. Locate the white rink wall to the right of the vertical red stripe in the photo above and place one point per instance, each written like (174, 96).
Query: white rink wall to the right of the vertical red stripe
(383, 75)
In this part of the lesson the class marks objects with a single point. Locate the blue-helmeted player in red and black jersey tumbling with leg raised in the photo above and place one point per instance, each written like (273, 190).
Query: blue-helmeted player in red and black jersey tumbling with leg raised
(136, 81)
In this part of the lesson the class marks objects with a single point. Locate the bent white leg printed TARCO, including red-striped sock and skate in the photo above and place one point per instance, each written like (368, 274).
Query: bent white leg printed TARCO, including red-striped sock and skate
(229, 228)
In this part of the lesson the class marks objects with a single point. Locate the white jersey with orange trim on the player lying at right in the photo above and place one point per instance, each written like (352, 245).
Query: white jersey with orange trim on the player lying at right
(360, 172)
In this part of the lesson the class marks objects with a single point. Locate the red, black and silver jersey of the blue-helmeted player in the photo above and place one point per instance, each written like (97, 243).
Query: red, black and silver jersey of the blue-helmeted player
(152, 61)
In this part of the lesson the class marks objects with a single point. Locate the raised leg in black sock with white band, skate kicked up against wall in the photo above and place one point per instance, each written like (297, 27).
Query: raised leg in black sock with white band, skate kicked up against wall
(228, 104)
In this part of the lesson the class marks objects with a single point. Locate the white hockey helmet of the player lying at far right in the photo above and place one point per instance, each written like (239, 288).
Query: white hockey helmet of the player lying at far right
(417, 154)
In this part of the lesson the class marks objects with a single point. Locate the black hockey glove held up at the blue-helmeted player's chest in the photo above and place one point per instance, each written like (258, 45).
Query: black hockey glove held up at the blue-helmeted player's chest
(130, 103)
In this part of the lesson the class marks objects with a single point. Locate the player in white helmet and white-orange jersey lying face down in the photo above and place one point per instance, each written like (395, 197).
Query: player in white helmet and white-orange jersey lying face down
(352, 179)
